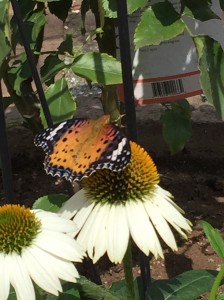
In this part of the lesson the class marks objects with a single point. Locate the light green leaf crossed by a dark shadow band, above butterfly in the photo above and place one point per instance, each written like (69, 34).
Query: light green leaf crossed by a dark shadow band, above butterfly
(98, 67)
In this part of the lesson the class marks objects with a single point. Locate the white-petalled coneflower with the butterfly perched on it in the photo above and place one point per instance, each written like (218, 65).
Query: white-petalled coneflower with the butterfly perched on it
(112, 206)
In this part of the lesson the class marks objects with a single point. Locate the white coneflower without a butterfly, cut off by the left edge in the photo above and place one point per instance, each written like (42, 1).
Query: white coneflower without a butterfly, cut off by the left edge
(35, 246)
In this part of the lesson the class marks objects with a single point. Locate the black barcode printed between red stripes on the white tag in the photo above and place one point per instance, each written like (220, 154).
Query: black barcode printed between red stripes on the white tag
(167, 88)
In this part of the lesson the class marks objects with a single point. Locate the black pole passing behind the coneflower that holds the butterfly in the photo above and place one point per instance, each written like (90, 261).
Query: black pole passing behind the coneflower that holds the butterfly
(126, 65)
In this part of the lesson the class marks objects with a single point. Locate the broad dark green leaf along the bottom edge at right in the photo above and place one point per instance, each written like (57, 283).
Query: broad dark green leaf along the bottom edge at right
(186, 286)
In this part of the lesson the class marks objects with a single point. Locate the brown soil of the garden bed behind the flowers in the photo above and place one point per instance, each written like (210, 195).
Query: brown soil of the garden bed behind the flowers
(195, 177)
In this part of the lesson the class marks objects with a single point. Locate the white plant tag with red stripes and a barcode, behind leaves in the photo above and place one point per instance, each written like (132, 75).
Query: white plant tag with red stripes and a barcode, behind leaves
(169, 71)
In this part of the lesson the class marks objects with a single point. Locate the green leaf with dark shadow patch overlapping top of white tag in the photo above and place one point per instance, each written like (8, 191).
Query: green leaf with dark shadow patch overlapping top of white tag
(158, 23)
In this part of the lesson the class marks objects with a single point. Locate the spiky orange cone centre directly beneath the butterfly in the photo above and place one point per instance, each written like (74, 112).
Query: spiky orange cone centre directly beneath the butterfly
(136, 180)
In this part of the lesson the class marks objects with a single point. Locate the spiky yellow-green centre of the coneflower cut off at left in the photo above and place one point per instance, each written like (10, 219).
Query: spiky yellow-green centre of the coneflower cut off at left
(18, 228)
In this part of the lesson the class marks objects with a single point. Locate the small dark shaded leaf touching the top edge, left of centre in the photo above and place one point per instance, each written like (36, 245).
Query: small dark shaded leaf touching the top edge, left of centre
(60, 8)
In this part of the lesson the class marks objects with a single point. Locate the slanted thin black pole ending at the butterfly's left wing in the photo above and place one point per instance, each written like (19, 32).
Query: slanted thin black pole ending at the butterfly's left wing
(32, 63)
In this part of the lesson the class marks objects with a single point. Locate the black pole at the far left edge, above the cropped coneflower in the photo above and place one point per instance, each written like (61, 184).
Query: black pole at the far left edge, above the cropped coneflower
(4, 155)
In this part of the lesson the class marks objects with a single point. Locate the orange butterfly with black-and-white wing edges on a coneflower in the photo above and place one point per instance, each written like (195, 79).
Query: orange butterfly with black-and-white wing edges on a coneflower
(78, 147)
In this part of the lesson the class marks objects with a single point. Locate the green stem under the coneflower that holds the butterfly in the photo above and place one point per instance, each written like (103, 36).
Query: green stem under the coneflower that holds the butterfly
(127, 261)
